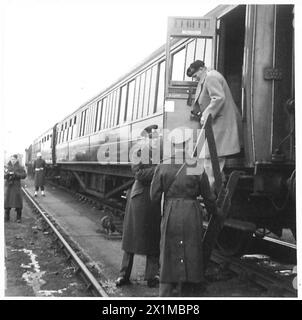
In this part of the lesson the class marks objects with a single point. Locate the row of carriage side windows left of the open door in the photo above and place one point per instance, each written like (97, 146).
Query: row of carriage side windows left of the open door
(137, 99)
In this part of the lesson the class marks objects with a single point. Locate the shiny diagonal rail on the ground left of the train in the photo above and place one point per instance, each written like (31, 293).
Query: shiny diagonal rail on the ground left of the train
(92, 284)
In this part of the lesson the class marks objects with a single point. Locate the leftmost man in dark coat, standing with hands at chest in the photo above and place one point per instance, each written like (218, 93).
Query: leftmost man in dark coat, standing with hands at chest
(13, 173)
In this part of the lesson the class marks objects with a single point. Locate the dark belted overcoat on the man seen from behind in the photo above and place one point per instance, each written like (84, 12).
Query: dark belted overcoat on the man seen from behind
(181, 256)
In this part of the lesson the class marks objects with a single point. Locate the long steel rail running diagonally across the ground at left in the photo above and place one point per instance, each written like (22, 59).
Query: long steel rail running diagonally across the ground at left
(94, 283)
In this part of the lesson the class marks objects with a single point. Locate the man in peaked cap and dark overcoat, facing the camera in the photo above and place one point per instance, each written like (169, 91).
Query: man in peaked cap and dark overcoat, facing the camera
(141, 229)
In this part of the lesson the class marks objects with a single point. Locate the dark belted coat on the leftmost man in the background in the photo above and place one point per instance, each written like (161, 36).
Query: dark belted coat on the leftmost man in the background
(12, 191)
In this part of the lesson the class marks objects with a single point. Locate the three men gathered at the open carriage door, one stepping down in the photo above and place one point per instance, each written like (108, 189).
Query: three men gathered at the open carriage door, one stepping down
(163, 218)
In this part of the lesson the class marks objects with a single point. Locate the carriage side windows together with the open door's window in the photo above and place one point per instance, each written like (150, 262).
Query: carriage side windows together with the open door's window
(140, 97)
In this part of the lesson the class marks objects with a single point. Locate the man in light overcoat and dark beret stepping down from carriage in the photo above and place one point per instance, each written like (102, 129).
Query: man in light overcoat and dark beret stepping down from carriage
(213, 96)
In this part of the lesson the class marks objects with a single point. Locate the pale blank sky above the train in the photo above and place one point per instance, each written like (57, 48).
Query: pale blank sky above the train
(57, 54)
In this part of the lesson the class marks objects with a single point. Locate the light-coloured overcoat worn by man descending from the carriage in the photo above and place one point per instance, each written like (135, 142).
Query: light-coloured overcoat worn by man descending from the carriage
(214, 97)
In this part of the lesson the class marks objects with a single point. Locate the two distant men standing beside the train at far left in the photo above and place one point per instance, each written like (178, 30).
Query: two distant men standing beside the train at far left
(14, 172)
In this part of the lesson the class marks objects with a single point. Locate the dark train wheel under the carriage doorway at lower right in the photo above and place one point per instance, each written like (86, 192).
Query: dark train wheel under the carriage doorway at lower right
(233, 242)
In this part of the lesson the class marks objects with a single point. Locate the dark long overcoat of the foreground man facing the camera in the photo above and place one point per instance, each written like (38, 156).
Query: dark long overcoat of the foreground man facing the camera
(141, 229)
